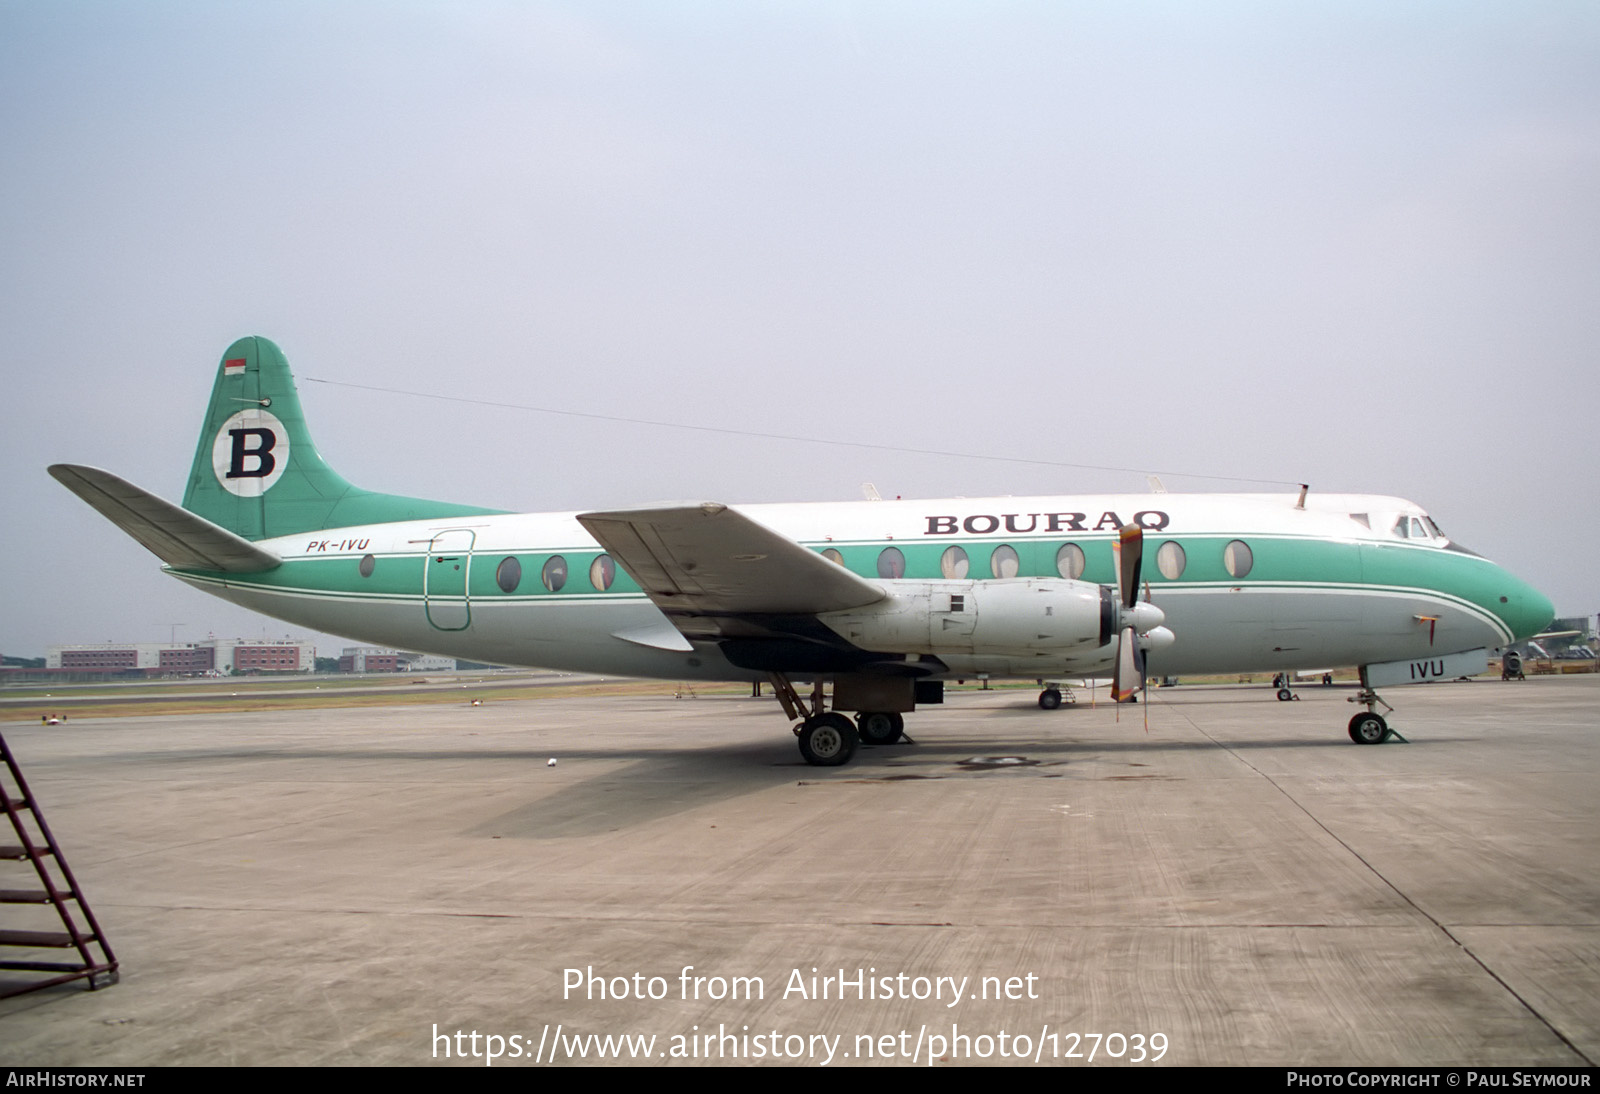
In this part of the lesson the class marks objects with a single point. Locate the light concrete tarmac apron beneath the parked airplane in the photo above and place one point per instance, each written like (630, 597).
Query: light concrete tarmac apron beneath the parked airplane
(1238, 885)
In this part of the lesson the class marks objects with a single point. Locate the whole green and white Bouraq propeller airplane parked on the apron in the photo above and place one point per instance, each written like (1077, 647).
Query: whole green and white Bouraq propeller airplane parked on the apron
(884, 601)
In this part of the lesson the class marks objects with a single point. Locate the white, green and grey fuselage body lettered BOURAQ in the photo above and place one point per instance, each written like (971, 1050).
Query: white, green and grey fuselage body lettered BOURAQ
(1322, 589)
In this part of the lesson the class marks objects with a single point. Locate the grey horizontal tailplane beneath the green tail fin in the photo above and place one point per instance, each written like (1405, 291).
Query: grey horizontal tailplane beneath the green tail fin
(174, 535)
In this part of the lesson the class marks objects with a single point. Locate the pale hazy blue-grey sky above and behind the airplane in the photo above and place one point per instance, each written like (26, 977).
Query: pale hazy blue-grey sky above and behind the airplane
(1350, 244)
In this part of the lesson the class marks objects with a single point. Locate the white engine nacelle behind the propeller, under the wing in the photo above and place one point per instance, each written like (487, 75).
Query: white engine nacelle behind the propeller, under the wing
(1002, 617)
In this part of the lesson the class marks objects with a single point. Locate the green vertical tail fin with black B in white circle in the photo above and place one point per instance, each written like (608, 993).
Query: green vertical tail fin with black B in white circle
(258, 473)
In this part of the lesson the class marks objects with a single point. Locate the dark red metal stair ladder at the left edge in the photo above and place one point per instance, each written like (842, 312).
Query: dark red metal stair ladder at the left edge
(18, 802)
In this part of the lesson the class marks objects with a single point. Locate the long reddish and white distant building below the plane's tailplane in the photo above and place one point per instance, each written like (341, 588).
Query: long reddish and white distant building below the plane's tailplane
(183, 660)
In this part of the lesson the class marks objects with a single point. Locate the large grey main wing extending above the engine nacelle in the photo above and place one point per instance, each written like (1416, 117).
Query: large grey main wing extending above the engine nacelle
(713, 570)
